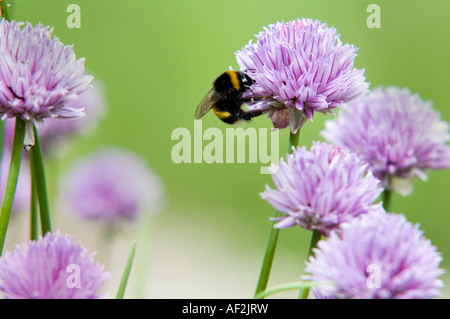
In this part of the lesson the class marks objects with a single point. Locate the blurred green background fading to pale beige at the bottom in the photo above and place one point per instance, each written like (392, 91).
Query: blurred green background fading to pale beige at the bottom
(157, 59)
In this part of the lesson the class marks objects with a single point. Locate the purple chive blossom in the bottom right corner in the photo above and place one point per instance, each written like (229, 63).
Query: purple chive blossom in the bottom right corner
(377, 256)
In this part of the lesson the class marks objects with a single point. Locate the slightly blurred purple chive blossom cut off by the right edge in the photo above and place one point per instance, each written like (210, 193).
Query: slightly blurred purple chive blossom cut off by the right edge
(396, 132)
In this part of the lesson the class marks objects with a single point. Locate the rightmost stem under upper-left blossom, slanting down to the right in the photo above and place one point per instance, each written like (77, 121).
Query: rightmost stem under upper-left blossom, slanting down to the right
(37, 163)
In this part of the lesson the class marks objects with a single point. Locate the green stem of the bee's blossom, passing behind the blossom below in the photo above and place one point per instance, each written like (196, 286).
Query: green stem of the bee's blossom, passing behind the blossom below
(273, 236)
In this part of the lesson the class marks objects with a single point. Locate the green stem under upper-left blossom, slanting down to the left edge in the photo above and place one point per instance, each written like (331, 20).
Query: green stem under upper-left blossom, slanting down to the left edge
(11, 182)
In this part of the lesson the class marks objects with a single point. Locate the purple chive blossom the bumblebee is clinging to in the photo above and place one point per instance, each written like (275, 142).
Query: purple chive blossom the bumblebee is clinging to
(304, 67)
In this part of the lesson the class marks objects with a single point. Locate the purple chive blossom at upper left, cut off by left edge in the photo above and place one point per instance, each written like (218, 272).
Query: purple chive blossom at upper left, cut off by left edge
(39, 76)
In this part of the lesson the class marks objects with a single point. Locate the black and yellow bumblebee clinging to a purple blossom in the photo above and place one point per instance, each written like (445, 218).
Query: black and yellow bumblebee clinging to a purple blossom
(225, 98)
